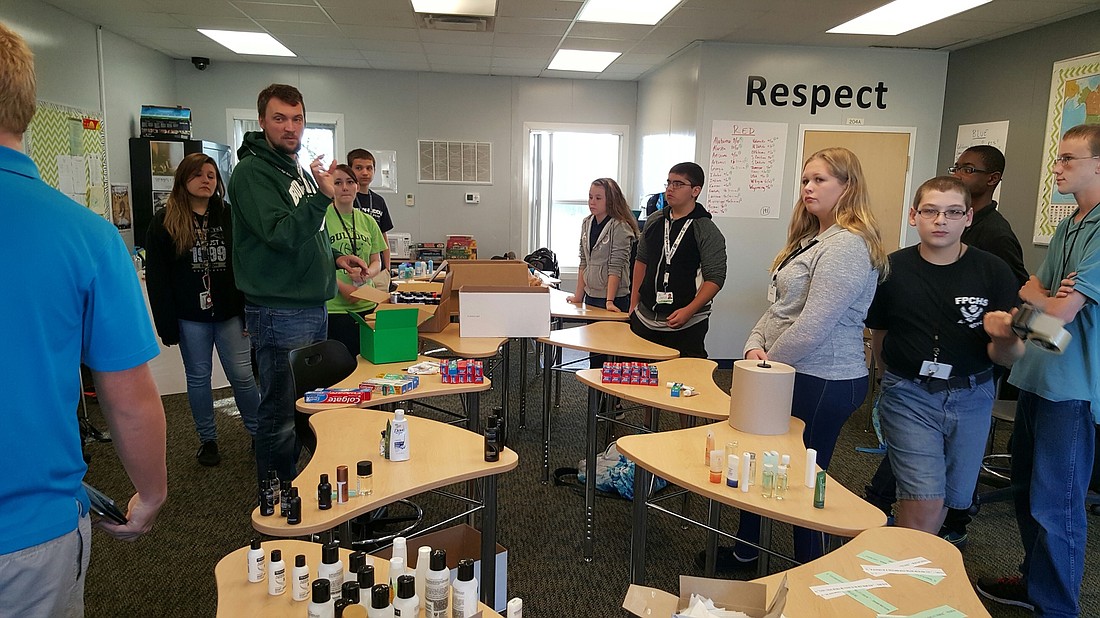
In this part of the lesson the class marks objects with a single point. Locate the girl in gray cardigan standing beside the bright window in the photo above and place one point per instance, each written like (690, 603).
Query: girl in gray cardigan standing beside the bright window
(608, 238)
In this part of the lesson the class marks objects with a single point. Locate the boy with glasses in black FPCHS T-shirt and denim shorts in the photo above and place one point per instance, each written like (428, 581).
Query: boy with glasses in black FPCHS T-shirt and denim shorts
(939, 324)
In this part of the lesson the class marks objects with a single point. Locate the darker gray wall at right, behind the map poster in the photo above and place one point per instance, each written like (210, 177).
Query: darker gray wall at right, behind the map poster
(1010, 80)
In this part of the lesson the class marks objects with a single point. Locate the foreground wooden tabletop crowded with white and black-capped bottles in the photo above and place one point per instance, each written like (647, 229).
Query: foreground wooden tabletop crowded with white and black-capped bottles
(240, 599)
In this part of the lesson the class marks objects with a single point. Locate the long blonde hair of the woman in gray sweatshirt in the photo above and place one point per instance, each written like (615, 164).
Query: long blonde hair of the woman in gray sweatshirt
(853, 211)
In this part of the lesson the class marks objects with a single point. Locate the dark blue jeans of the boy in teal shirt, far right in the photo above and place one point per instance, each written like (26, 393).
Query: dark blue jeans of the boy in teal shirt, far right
(1053, 445)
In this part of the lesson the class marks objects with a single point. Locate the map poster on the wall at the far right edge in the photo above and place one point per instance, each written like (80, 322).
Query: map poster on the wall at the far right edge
(1075, 100)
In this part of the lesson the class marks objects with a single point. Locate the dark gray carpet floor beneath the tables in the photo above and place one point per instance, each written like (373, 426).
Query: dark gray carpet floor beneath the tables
(170, 572)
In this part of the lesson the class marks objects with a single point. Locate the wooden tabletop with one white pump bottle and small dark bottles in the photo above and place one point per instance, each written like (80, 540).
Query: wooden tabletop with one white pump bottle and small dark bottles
(442, 455)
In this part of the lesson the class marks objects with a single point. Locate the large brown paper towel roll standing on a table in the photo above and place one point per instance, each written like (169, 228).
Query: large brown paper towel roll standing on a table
(761, 398)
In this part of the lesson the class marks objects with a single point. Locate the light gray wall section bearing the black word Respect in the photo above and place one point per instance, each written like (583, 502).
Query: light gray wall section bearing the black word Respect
(916, 82)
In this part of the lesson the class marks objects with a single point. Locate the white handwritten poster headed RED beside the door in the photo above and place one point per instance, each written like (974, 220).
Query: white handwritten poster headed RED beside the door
(746, 171)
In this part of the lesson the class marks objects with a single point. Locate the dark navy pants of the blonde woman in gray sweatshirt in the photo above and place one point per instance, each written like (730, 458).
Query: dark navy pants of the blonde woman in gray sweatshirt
(824, 405)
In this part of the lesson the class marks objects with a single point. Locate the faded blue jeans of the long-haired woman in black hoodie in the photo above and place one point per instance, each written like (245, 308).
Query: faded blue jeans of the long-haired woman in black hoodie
(197, 341)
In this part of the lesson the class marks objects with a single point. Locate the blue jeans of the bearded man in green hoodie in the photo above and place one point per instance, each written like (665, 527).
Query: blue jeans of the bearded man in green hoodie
(276, 333)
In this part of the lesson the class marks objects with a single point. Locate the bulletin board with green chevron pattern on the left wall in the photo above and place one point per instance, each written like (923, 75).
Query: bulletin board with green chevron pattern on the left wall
(70, 148)
